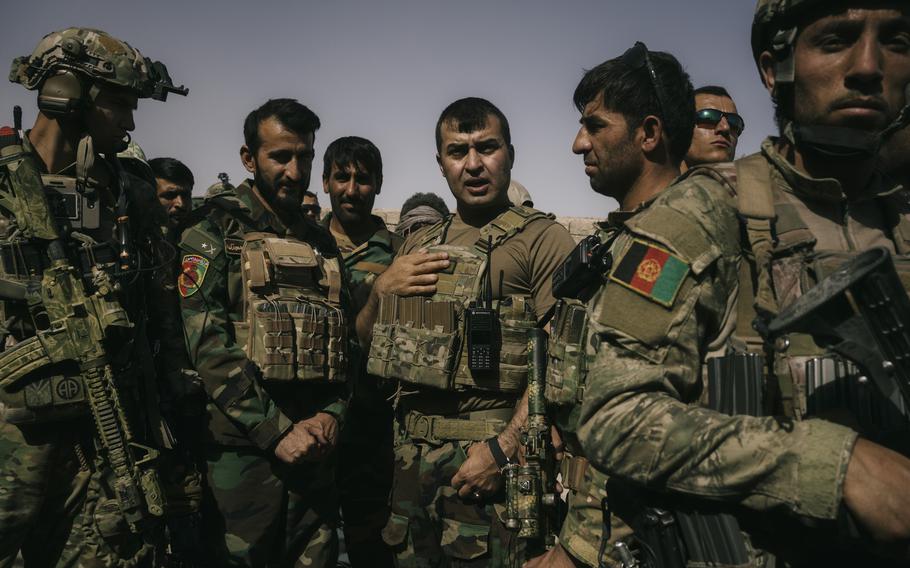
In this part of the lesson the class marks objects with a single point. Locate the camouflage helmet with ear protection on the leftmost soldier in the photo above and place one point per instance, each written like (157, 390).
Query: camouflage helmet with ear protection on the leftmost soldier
(63, 61)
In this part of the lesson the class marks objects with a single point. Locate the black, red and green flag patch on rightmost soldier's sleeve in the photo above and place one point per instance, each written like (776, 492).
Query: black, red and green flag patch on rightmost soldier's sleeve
(653, 272)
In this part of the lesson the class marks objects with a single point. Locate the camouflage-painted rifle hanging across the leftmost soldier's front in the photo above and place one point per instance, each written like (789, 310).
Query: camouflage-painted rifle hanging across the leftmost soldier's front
(76, 326)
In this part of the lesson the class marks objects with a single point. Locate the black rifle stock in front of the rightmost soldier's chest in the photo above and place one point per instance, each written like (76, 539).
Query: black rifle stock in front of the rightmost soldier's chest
(862, 313)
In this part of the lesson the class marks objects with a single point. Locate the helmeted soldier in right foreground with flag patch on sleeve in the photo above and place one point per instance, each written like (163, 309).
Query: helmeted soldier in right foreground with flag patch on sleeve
(705, 427)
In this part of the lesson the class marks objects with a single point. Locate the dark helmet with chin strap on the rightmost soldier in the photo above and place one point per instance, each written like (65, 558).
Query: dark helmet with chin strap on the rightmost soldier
(775, 27)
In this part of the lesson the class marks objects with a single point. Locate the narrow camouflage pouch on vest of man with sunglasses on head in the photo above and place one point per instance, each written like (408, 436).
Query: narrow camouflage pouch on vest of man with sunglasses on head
(566, 368)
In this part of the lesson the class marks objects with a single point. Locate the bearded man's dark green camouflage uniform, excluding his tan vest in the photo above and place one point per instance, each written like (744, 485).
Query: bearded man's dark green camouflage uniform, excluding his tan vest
(258, 510)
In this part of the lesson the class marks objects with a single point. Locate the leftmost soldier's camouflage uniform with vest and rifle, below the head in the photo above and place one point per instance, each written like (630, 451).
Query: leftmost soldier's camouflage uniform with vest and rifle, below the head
(80, 434)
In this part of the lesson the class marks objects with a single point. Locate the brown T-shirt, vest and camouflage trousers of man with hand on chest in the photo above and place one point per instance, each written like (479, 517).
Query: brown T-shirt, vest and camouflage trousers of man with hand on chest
(442, 407)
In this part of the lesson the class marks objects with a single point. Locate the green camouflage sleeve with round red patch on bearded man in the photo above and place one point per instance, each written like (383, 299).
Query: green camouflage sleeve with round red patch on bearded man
(230, 379)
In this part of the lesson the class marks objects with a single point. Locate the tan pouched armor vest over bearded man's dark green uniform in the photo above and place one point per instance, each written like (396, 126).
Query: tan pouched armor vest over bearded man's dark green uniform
(293, 327)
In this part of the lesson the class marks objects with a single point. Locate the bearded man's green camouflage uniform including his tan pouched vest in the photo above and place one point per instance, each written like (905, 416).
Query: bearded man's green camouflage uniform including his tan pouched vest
(266, 319)
